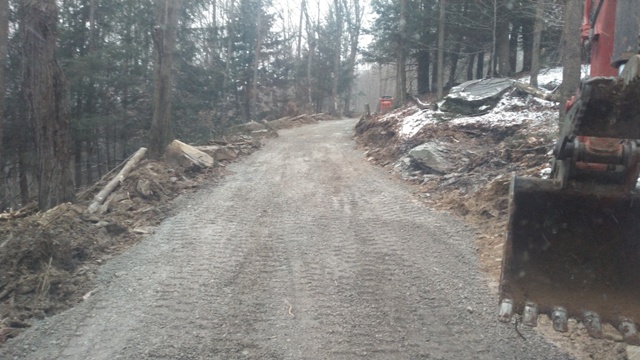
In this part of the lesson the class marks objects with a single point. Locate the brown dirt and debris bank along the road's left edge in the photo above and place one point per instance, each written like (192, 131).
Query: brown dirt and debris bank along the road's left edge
(48, 261)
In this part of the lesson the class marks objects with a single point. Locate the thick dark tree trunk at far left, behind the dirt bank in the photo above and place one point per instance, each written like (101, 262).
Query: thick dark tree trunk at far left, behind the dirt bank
(46, 95)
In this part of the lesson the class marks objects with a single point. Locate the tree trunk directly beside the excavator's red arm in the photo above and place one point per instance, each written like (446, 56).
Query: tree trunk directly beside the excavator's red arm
(572, 51)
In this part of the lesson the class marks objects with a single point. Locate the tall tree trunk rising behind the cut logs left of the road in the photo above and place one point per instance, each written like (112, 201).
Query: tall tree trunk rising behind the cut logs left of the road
(164, 41)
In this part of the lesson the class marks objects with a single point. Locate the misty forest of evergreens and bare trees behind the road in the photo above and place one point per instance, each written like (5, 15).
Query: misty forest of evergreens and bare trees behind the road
(85, 83)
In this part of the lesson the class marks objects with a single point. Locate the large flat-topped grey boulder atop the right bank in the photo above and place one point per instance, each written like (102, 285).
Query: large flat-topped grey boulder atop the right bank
(476, 96)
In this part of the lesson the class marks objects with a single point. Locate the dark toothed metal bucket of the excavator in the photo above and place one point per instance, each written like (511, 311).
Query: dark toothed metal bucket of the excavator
(572, 252)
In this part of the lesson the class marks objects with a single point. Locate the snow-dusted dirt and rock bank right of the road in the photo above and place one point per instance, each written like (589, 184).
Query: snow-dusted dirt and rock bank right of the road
(483, 152)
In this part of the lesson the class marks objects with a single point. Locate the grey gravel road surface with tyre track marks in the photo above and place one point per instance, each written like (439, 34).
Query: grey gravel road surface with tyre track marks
(306, 252)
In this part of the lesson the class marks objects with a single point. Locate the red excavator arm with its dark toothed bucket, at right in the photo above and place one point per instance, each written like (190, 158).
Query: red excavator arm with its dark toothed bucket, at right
(572, 248)
